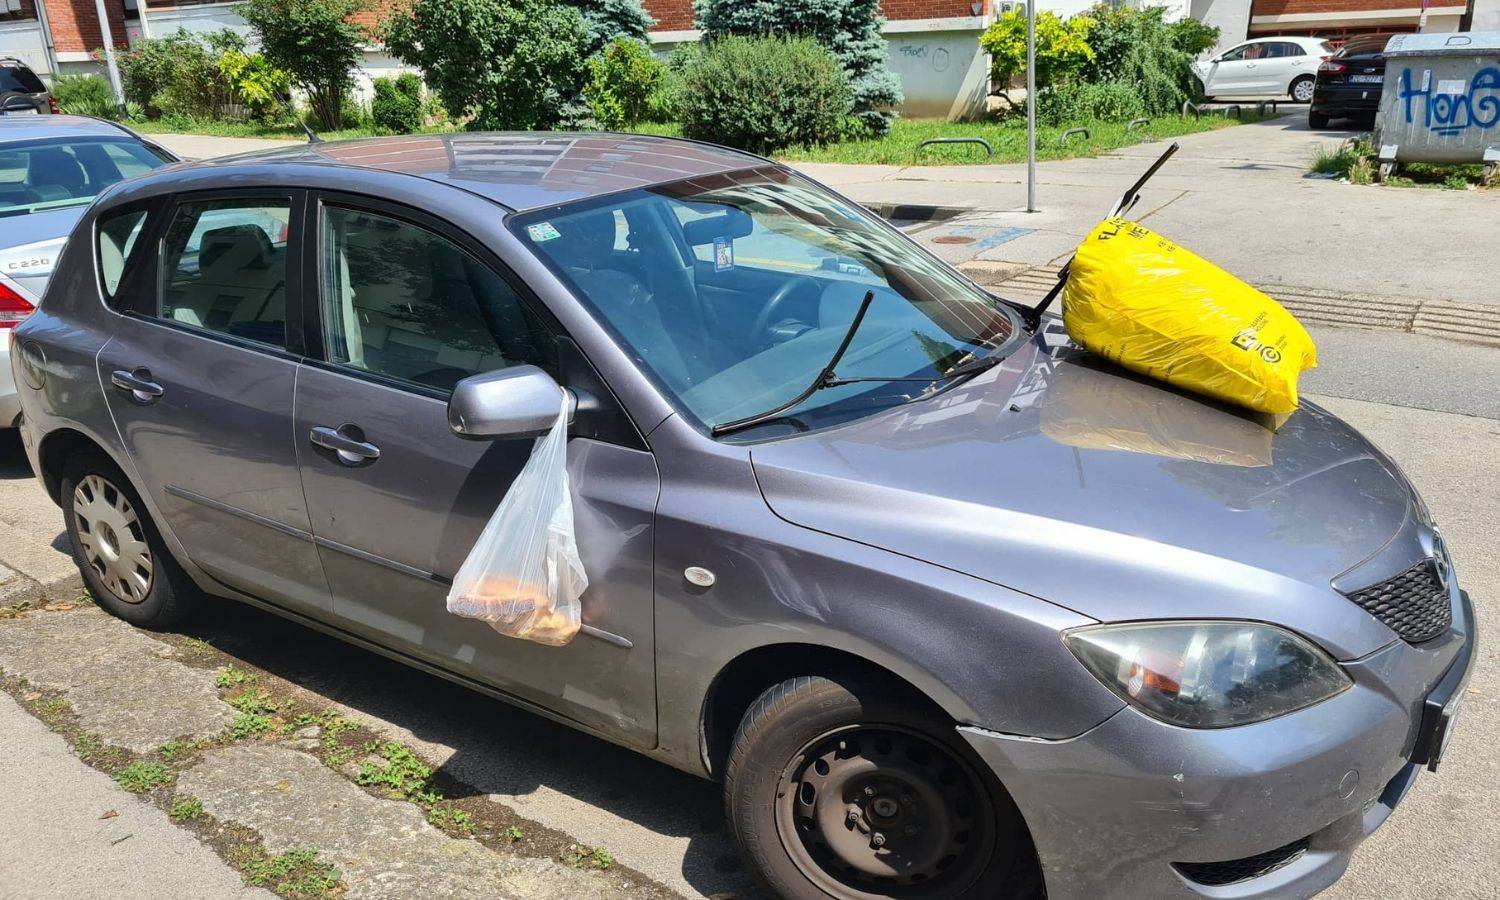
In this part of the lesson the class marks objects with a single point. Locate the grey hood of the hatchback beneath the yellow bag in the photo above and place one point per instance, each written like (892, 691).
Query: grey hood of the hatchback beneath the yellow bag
(1064, 478)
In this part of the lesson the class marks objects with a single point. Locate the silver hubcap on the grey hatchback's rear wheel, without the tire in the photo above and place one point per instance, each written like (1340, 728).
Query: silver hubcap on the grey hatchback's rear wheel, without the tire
(113, 542)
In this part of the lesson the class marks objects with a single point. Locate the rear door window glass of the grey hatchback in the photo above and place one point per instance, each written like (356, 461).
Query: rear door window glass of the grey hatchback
(224, 269)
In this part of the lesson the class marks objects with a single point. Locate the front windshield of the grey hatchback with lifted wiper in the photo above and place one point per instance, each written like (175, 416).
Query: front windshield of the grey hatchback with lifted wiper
(734, 292)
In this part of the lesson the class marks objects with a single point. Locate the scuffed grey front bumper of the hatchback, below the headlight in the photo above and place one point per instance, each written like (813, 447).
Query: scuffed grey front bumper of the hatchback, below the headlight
(1136, 808)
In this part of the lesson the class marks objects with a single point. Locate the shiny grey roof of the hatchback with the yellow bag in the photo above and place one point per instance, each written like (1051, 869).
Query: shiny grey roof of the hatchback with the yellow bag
(518, 170)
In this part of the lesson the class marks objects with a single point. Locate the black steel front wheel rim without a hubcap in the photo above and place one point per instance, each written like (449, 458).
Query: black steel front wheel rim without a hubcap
(884, 812)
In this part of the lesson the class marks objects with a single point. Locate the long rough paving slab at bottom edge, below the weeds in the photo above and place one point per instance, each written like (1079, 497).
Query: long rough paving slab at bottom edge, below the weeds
(383, 848)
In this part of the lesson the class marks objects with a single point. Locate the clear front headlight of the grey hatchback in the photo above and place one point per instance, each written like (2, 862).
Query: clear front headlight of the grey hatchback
(1208, 674)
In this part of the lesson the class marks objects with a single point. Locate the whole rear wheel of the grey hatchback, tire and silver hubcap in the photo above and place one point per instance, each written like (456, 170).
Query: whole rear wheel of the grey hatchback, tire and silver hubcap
(121, 554)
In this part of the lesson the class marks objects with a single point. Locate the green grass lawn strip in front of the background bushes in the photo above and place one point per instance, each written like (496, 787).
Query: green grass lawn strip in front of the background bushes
(1009, 139)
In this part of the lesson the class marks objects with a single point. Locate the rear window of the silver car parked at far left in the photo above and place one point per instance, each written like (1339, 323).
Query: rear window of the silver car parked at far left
(40, 176)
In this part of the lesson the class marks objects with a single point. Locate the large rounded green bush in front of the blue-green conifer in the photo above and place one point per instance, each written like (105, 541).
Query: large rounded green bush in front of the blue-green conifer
(766, 94)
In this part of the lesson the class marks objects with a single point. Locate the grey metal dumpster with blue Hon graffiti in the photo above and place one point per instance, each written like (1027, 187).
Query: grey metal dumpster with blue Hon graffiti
(1441, 101)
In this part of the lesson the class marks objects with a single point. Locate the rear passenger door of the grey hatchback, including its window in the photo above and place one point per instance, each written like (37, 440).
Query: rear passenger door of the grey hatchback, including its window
(200, 376)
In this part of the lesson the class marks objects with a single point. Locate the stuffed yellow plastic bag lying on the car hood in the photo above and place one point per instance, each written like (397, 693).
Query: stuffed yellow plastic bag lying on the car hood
(1153, 307)
